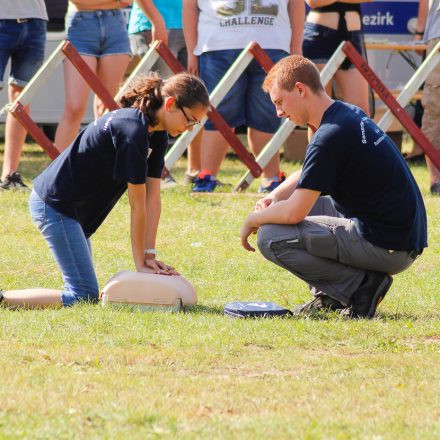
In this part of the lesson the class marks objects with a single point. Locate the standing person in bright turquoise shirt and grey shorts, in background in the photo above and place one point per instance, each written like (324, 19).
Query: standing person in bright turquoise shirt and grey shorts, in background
(164, 23)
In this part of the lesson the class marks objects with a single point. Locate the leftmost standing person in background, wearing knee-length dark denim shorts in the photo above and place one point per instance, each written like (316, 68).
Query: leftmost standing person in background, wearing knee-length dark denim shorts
(23, 27)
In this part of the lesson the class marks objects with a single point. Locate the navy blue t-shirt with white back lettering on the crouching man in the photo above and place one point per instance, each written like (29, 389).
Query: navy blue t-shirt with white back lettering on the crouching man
(351, 159)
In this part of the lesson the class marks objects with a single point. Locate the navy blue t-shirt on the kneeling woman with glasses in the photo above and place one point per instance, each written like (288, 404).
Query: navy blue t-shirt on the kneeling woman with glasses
(90, 176)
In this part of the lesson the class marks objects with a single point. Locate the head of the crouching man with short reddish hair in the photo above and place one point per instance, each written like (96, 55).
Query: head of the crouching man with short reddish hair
(293, 84)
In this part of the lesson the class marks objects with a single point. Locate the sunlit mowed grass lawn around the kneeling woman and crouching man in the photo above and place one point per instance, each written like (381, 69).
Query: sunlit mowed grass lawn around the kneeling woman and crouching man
(89, 372)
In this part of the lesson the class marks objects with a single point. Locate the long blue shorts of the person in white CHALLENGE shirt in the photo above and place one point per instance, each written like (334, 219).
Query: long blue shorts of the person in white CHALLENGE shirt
(245, 103)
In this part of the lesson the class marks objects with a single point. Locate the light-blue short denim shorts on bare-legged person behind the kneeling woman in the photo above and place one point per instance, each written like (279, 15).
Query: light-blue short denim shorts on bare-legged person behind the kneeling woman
(98, 33)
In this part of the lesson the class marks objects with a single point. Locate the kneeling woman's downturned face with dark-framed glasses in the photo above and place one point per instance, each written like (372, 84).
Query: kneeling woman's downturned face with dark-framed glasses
(179, 119)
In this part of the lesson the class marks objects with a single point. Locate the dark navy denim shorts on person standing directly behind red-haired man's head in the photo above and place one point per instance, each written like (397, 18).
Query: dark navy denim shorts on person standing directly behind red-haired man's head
(320, 43)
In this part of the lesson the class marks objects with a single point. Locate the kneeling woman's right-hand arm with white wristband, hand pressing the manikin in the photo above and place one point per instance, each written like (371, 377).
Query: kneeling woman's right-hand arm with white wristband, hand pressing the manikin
(153, 209)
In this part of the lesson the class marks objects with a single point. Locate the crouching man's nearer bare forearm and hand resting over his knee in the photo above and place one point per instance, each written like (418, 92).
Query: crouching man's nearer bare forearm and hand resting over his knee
(291, 211)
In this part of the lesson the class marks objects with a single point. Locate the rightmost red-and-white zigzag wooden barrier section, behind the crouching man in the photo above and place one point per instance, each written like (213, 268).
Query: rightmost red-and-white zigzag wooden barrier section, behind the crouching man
(395, 105)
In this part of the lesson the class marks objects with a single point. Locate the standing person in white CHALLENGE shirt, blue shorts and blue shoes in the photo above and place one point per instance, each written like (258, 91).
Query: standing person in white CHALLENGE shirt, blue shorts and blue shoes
(216, 32)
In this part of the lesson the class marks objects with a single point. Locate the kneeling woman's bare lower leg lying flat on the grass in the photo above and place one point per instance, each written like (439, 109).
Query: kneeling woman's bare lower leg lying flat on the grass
(32, 298)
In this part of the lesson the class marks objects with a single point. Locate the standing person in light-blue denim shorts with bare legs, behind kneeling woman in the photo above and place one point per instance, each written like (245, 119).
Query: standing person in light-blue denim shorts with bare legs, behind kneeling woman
(98, 31)
